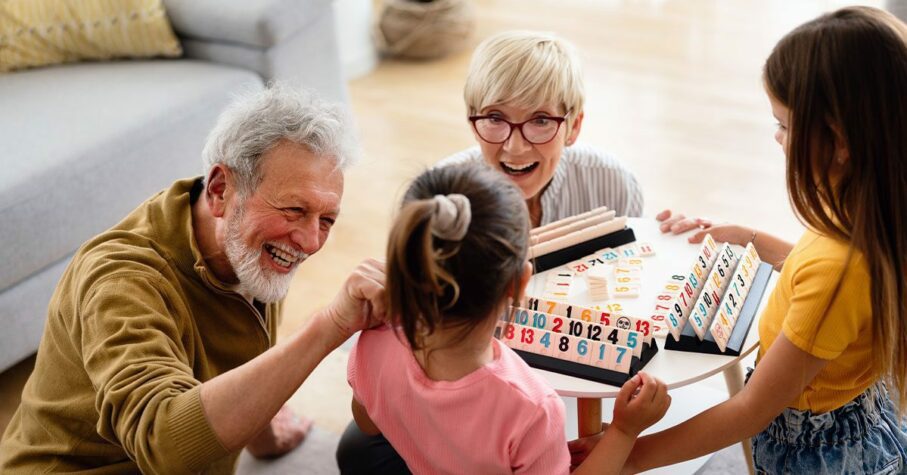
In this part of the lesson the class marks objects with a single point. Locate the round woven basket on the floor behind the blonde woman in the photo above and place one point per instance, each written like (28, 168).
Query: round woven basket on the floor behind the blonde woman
(424, 30)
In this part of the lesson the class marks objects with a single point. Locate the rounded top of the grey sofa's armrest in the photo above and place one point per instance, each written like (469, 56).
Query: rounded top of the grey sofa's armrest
(250, 23)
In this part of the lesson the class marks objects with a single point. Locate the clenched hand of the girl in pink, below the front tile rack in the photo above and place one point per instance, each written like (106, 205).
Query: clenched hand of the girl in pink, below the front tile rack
(641, 402)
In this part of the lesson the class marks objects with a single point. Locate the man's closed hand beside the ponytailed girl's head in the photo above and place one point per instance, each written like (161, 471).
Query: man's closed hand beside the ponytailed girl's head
(360, 303)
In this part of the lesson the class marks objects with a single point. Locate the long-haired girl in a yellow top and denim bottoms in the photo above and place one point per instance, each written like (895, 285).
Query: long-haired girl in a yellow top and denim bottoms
(833, 354)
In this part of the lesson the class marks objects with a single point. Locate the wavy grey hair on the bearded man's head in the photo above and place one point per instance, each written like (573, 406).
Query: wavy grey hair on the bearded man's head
(256, 122)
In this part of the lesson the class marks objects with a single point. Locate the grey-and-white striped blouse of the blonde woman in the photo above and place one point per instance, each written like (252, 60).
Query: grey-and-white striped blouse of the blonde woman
(585, 178)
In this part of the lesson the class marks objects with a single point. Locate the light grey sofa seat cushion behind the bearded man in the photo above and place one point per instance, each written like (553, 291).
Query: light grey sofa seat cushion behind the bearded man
(82, 145)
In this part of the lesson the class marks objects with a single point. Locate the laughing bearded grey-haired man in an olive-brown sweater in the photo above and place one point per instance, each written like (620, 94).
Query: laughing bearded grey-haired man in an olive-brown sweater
(159, 350)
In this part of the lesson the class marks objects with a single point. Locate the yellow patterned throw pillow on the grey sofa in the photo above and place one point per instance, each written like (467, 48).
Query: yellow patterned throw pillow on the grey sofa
(41, 32)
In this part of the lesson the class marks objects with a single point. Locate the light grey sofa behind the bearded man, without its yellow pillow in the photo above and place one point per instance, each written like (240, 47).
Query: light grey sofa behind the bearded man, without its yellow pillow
(82, 144)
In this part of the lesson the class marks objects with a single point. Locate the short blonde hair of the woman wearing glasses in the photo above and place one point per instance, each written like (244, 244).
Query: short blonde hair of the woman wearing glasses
(525, 69)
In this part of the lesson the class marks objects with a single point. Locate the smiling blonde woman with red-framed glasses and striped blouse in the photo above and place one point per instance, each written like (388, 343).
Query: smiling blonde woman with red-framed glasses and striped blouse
(524, 95)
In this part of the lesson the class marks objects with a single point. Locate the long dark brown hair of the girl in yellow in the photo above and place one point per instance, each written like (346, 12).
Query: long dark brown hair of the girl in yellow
(844, 78)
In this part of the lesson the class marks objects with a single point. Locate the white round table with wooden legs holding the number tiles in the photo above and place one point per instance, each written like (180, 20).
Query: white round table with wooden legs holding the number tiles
(673, 255)
